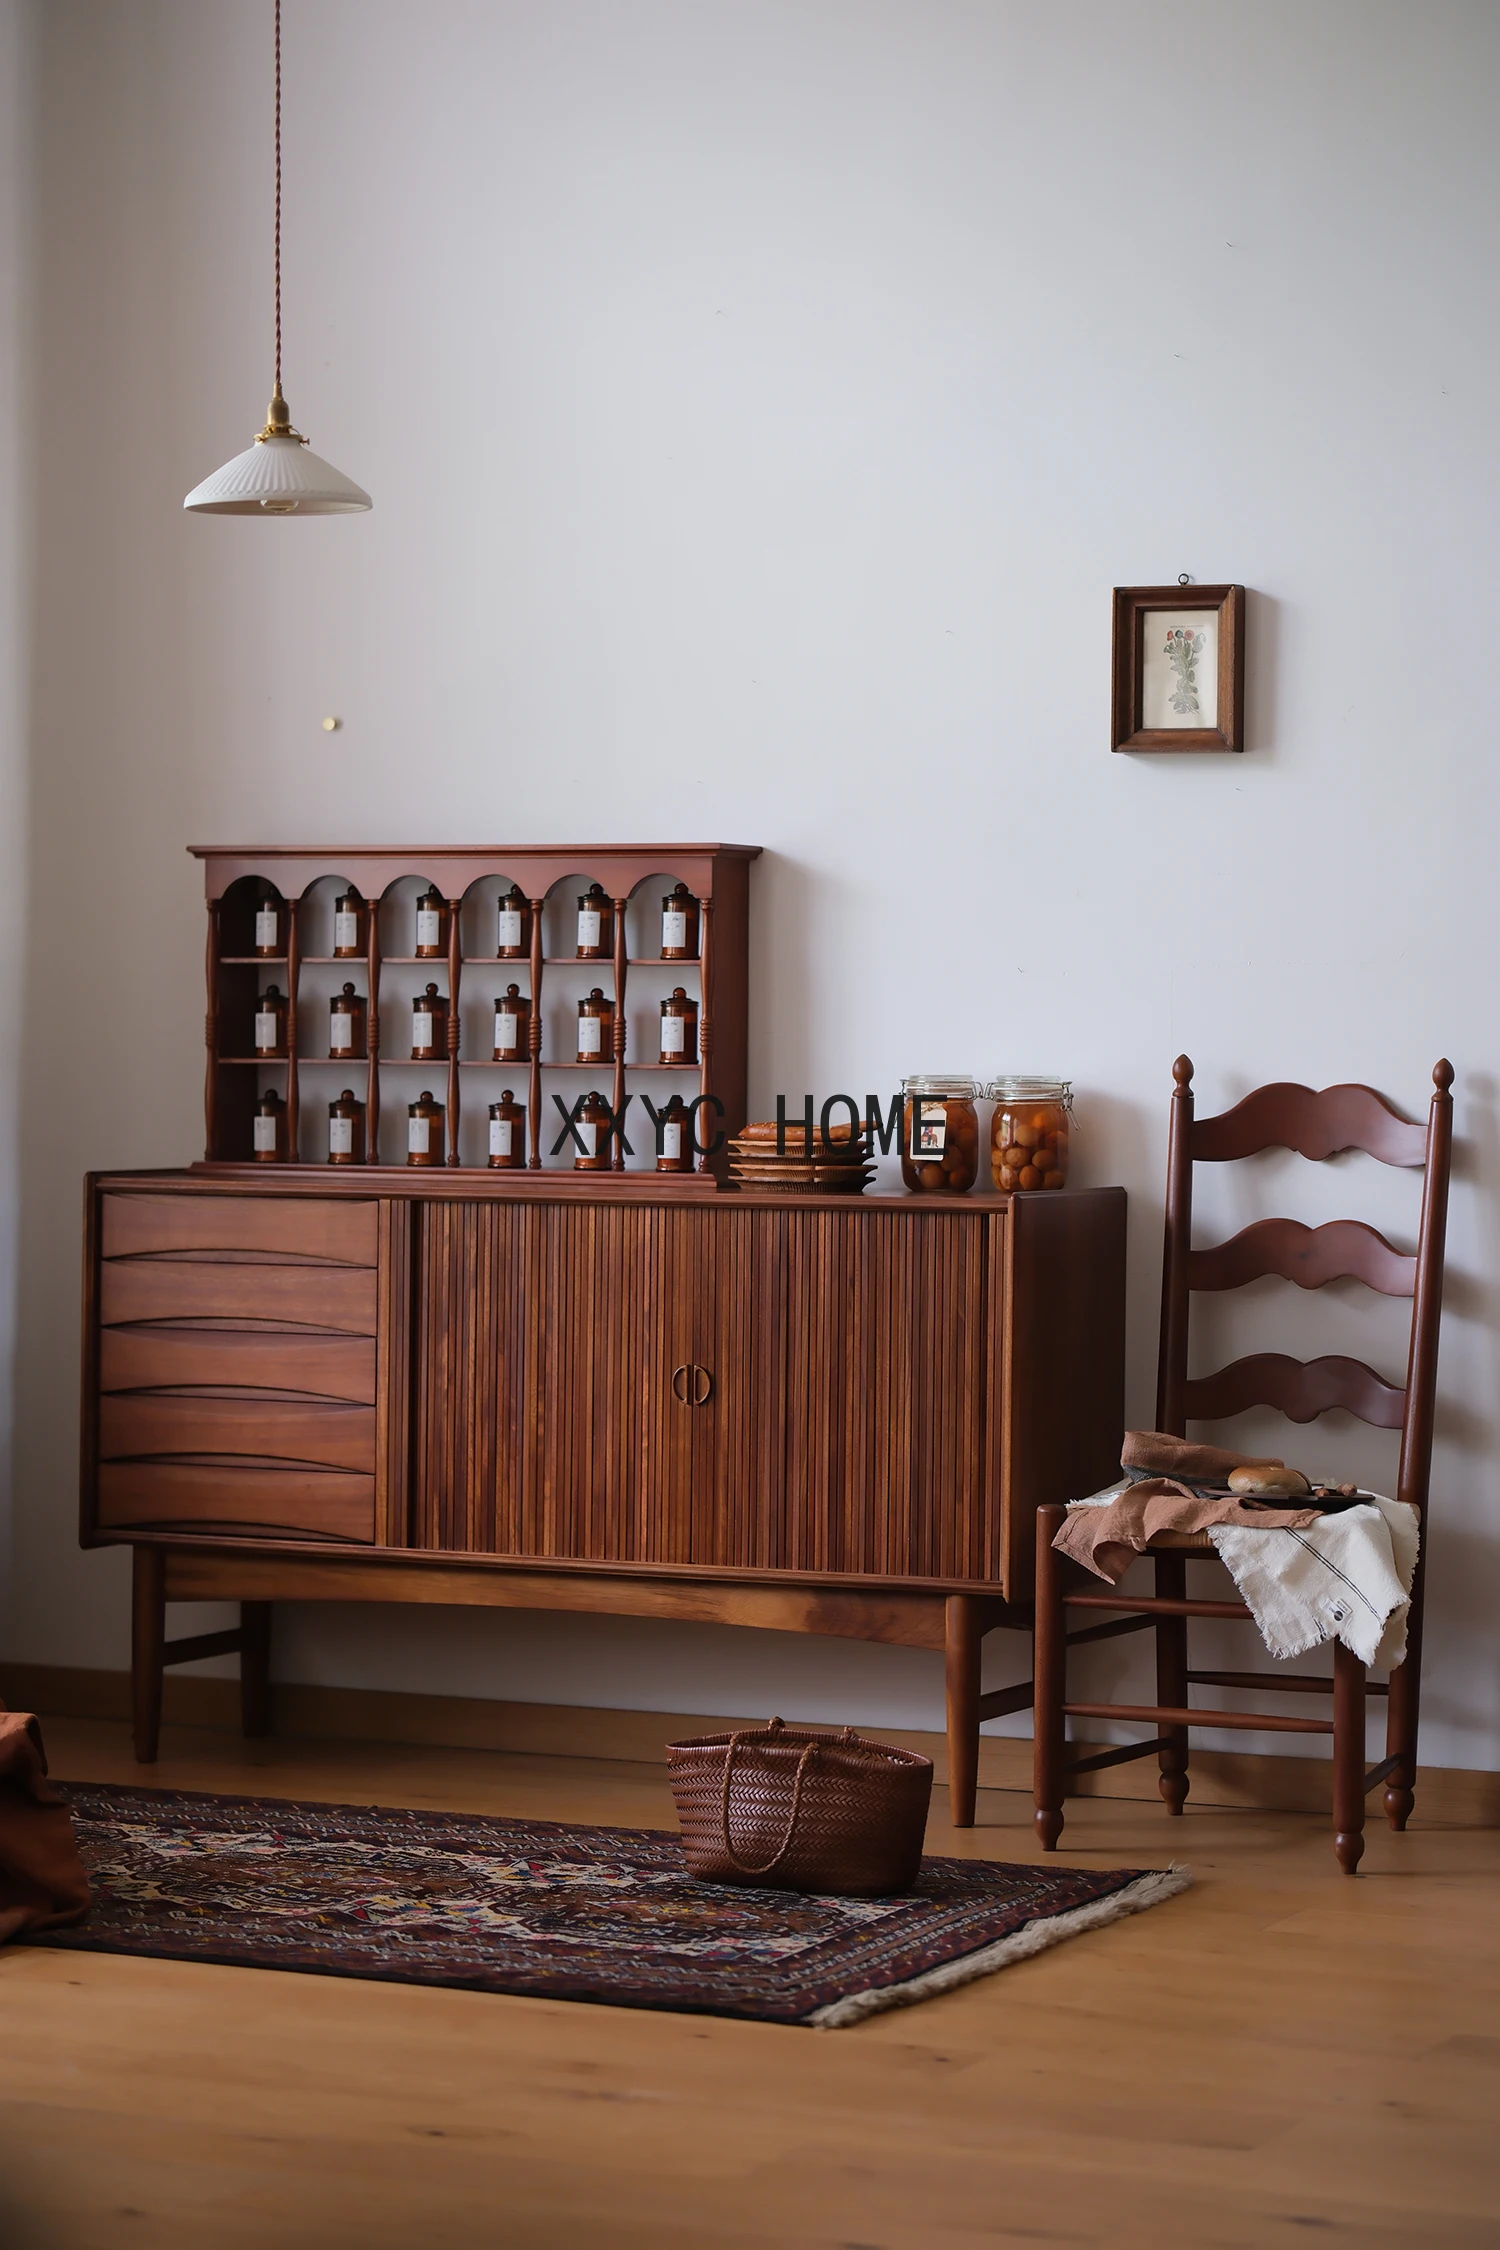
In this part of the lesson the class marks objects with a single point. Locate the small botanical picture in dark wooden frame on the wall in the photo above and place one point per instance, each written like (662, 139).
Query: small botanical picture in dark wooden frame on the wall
(1180, 669)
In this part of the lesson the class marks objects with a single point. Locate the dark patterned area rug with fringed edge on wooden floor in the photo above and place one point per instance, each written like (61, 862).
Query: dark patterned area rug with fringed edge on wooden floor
(561, 1914)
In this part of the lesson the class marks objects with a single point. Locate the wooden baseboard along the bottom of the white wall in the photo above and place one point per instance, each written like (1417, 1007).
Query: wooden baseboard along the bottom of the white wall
(1245, 1779)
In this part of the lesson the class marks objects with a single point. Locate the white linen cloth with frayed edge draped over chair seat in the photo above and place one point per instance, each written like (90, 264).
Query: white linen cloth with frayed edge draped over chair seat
(1344, 1578)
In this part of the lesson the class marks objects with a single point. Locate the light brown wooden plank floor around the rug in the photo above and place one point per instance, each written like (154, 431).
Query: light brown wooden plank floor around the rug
(1278, 2058)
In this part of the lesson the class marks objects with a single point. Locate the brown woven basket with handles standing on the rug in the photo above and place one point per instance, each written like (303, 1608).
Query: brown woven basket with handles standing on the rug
(793, 1810)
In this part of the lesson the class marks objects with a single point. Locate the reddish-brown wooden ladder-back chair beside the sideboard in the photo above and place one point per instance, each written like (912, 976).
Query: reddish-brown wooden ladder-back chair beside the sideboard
(1317, 1126)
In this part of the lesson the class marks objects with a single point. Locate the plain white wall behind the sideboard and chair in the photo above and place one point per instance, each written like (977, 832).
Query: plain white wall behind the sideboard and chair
(759, 406)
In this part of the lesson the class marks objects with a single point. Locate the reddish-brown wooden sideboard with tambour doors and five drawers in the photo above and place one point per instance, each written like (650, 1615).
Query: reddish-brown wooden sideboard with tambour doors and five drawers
(817, 1414)
